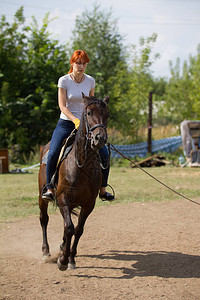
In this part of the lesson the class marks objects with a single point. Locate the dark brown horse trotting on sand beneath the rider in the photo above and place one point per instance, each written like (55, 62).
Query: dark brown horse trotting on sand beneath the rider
(79, 179)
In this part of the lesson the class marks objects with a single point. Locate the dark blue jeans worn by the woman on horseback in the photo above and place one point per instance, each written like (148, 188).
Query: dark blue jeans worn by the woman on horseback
(61, 132)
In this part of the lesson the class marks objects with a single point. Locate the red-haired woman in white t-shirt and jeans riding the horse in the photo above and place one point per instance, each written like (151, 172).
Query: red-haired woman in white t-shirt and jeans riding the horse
(70, 88)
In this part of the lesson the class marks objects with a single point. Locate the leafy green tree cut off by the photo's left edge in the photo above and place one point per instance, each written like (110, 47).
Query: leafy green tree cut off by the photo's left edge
(12, 59)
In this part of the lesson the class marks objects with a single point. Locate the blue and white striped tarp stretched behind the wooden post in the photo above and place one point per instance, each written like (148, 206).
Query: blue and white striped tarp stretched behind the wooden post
(168, 145)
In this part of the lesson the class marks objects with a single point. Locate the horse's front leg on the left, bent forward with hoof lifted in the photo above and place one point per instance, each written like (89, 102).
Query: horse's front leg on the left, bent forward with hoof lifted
(63, 259)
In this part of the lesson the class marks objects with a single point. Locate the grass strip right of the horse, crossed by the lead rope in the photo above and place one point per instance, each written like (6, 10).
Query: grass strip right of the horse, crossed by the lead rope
(134, 185)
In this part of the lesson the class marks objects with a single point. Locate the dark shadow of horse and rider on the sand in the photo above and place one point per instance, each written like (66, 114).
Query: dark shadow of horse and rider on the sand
(153, 263)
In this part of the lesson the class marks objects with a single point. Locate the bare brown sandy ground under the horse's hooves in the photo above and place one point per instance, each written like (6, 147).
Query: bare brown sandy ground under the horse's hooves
(133, 251)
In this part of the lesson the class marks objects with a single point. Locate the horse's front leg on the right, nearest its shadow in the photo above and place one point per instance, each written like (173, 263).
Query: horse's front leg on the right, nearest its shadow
(78, 233)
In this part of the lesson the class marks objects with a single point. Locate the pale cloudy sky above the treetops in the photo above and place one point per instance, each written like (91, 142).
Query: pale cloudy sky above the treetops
(176, 22)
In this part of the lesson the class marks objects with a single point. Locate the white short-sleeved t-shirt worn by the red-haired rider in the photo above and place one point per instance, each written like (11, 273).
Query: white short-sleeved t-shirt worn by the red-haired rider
(74, 93)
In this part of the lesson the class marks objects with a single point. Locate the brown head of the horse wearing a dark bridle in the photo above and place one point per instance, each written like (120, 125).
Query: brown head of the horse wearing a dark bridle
(96, 117)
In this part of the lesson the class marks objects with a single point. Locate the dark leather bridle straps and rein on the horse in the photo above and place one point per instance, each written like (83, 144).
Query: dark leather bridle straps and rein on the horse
(89, 133)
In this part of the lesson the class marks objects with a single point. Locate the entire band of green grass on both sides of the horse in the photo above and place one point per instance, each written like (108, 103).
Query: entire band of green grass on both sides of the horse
(19, 192)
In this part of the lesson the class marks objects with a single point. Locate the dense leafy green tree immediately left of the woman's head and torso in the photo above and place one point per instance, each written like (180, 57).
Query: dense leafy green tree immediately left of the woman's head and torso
(46, 62)
